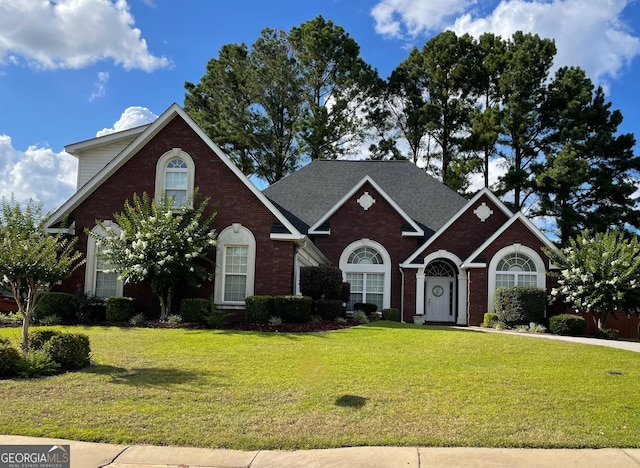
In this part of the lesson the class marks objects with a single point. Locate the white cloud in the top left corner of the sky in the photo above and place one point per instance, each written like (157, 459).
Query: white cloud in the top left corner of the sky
(73, 34)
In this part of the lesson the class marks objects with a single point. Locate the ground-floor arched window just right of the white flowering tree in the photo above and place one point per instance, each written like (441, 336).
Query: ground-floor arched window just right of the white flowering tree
(235, 265)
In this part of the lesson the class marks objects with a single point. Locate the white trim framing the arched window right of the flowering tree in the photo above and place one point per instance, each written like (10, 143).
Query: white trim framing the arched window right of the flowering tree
(234, 235)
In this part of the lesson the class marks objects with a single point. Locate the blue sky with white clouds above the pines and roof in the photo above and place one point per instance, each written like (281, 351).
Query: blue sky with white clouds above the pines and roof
(73, 69)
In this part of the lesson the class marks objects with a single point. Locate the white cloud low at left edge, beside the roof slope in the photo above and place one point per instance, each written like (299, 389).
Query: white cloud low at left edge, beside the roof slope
(38, 173)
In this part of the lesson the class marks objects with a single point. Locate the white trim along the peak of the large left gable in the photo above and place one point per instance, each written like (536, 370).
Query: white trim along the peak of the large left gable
(147, 134)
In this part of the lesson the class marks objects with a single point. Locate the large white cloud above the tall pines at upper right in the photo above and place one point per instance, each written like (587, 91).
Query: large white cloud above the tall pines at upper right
(592, 35)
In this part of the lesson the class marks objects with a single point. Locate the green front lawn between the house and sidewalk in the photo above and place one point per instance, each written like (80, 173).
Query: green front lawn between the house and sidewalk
(379, 384)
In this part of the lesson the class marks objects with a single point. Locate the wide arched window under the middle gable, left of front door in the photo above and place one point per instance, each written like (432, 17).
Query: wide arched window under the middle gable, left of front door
(367, 268)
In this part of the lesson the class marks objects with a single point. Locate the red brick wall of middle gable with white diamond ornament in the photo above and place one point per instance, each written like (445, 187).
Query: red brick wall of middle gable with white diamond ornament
(380, 223)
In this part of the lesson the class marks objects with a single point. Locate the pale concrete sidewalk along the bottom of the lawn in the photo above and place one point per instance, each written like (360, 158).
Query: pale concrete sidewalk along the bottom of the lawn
(92, 455)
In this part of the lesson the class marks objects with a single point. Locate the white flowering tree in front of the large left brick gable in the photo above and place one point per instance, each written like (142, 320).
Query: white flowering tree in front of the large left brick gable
(160, 244)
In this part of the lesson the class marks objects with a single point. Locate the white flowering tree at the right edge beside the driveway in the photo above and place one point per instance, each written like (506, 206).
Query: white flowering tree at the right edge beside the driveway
(600, 275)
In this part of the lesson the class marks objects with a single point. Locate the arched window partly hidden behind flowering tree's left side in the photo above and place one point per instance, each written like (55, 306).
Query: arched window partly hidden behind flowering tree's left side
(100, 281)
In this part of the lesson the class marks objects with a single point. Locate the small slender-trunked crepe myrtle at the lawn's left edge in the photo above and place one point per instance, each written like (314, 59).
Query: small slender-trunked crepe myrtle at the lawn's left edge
(32, 260)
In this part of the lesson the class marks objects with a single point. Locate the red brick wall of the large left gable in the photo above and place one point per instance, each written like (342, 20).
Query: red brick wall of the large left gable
(234, 203)
